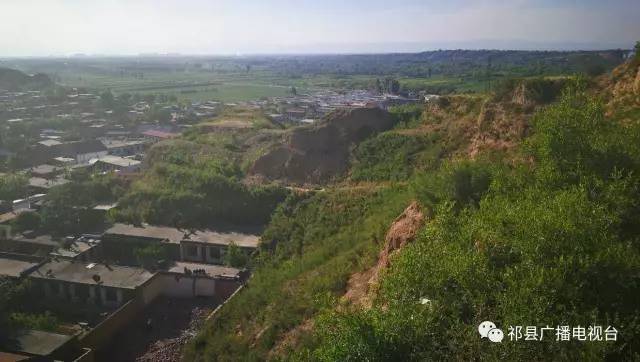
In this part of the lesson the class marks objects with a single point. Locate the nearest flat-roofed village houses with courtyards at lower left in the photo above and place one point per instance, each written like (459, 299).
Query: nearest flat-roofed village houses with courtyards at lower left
(100, 274)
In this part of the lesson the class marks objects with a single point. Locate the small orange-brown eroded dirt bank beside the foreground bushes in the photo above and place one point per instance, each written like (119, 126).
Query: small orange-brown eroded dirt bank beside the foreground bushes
(403, 230)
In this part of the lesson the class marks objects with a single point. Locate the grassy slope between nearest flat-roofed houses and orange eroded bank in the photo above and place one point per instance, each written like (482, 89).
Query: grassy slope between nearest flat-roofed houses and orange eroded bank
(312, 245)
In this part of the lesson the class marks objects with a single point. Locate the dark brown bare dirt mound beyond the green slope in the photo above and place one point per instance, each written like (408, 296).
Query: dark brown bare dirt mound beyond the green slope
(313, 155)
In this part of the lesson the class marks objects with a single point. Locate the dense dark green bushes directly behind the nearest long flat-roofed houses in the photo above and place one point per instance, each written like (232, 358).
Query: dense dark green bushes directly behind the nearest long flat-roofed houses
(197, 196)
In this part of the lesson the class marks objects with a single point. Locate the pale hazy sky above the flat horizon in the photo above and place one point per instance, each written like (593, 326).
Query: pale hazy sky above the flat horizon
(64, 27)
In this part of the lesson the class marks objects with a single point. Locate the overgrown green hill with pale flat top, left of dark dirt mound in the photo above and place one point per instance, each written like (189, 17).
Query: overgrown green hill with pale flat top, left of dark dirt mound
(198, 179)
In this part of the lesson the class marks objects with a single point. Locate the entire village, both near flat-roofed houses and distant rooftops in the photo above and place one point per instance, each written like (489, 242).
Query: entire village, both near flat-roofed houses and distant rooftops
(98, 282)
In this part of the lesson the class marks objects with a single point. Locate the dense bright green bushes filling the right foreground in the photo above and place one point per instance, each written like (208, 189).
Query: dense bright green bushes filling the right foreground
(553, 243)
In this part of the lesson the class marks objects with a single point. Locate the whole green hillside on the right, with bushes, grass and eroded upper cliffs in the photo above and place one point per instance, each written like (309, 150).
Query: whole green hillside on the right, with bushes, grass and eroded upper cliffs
(535, 220)
